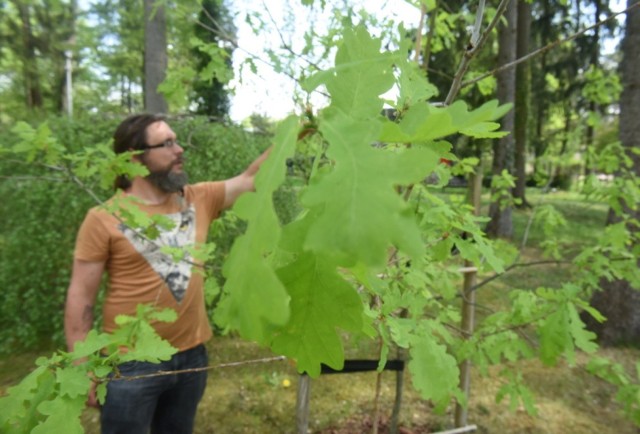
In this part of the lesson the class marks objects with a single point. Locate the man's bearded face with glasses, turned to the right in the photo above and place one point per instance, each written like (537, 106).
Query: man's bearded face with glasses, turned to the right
(164, 162)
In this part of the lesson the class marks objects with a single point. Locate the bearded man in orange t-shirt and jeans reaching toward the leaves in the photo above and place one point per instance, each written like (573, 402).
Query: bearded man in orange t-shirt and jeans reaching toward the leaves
(139, 272)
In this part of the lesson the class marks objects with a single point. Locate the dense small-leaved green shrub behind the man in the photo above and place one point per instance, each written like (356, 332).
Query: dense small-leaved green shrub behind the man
(41, 218)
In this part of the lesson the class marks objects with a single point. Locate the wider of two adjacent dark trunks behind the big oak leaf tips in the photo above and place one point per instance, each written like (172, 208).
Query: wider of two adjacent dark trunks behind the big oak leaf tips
(500, 224)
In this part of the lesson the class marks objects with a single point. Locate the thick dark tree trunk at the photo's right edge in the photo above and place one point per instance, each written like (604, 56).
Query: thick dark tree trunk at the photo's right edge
(618, 301)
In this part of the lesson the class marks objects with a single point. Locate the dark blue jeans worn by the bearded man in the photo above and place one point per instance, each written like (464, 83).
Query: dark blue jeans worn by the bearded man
(163, 404)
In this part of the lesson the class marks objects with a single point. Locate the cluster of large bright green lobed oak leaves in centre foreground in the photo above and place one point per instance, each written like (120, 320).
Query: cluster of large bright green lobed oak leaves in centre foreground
(356, 228)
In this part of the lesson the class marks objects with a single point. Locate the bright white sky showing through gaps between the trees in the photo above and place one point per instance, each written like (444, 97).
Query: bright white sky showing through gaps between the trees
(271, 94)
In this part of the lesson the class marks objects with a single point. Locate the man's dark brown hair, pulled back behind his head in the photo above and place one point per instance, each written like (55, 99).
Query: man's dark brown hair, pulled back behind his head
(131, 135)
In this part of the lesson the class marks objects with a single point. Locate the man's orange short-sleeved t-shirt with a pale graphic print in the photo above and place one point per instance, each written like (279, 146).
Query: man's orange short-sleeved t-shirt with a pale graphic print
(139, 272)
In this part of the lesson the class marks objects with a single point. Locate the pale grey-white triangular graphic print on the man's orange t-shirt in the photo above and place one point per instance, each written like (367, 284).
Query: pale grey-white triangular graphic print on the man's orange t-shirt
(176, 275)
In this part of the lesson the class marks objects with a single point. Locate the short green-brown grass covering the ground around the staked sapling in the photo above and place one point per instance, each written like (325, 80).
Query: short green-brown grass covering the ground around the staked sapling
(261, 398)
